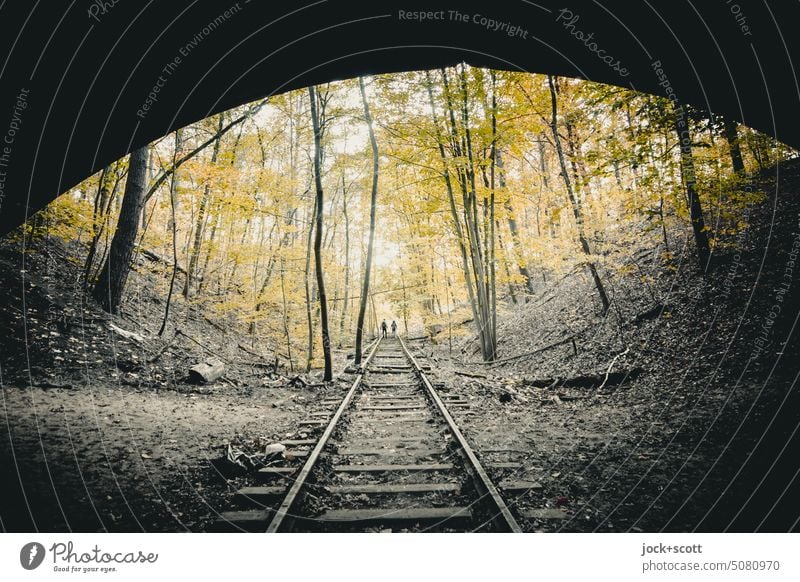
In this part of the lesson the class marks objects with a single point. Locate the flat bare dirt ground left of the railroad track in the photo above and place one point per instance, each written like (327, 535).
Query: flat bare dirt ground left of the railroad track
(119, 459)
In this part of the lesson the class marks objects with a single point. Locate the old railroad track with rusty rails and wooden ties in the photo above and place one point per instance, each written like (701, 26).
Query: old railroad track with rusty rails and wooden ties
(389, 457)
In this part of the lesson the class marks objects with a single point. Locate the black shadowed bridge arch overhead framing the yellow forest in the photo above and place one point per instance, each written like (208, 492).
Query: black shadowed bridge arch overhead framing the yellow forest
(85, 77)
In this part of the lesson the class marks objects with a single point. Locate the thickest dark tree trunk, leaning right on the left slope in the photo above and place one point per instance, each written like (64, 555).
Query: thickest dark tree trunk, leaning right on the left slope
(114, 274)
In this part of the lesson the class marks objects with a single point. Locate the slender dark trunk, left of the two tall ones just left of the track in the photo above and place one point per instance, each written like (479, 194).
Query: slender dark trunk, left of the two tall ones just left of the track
(320, 216)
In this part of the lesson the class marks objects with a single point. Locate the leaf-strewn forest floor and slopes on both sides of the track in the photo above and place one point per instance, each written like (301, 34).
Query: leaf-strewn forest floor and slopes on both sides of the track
(106, 432)
